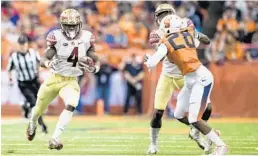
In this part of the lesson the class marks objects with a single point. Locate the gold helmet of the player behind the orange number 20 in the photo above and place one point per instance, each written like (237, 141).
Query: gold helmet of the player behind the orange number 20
(162, 10)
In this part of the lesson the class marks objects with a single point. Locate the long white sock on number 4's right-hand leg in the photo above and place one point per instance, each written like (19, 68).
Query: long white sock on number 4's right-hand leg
(64, 119)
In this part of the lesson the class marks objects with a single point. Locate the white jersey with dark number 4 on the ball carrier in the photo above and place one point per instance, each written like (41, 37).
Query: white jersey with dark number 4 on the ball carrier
(65, 62)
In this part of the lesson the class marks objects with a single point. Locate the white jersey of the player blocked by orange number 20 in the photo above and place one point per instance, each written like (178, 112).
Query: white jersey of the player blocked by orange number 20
(170, 69)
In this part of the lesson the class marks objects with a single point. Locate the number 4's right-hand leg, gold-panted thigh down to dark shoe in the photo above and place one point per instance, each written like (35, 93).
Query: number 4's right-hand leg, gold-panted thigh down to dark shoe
(70, 93)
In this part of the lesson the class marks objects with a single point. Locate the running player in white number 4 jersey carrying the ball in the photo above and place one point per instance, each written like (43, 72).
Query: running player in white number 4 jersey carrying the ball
(68, 54)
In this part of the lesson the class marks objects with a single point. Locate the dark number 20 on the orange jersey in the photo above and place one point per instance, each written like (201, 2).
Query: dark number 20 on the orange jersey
(187, 38)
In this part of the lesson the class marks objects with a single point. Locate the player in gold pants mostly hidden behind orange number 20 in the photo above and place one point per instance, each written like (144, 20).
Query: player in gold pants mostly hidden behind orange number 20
(171, 79)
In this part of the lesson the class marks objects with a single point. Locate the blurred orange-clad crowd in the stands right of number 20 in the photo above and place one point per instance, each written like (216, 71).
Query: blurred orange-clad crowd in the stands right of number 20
(237, 33)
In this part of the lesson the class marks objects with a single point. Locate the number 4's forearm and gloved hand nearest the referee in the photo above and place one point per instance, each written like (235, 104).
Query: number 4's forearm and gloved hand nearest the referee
(45, 60)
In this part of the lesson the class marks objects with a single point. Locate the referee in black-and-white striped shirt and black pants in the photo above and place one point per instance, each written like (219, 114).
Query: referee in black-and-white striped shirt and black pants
(25, 62)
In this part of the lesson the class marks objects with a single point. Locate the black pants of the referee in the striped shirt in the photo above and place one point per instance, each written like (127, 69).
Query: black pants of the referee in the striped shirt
(30, 90)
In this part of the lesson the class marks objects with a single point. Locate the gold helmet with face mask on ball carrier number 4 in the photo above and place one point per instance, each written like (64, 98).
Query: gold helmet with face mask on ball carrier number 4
(70, 22)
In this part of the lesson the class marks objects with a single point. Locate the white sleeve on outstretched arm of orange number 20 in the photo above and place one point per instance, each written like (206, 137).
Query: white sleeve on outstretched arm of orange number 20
(159, 55)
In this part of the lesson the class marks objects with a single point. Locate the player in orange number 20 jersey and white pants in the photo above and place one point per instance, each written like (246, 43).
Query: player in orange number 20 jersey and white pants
(178, 46)
